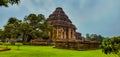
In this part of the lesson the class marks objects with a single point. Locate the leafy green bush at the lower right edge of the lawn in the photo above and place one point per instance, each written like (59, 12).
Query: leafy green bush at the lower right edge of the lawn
(111, 45)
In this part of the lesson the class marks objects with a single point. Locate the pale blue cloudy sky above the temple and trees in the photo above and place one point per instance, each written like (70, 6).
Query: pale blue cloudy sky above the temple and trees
(89, 16)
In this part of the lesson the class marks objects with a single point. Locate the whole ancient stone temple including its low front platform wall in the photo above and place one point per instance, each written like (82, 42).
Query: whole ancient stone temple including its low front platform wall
(66, 35)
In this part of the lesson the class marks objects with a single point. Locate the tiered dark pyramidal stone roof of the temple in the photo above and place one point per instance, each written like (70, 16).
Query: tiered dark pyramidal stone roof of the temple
(58, 17)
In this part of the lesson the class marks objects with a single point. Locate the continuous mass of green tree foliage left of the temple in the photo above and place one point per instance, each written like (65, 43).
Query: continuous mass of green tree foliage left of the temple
(33, 26)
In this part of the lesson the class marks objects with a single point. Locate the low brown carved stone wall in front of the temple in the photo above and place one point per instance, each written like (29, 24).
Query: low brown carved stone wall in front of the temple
(77, 45)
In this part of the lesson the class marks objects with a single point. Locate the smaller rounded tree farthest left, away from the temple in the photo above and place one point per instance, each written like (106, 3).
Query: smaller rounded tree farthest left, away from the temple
(11, 28)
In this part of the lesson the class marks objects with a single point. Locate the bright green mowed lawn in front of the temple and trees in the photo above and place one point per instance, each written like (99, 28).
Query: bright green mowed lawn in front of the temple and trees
(49, 51)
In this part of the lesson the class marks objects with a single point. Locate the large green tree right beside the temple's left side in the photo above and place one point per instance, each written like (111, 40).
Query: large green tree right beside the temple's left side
(39, 25)
